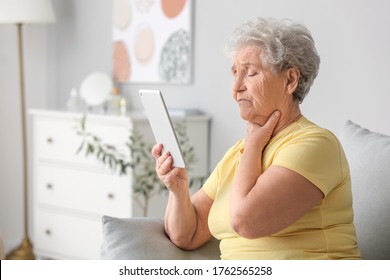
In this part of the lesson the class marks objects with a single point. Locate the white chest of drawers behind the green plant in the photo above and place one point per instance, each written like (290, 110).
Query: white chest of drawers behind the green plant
(71, 192)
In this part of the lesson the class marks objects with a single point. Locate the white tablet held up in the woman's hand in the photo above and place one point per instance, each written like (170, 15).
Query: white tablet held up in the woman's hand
(161, 124)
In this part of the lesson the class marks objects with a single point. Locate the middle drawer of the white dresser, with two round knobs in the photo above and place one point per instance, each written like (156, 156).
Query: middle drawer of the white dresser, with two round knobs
(81, 190)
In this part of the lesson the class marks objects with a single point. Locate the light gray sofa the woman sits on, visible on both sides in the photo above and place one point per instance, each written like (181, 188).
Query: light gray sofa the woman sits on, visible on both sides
(368, 154)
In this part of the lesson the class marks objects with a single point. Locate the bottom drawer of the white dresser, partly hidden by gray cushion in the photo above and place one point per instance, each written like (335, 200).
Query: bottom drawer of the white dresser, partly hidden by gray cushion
(66, 237)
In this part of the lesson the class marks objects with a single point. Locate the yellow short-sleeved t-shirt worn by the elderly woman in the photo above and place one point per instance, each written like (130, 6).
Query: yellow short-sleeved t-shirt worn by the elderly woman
(325, 232)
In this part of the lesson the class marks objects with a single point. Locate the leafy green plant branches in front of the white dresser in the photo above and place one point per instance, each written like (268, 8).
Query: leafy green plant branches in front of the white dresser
(135, 157)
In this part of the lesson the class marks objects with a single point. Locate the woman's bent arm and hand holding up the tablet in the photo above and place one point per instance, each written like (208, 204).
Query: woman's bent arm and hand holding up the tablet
(185, 217)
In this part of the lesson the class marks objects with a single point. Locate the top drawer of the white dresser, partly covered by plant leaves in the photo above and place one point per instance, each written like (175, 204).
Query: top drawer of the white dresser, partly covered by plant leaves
(57, 139)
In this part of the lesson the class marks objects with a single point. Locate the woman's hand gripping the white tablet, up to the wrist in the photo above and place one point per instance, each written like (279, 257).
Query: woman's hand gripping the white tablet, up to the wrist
(174, 178)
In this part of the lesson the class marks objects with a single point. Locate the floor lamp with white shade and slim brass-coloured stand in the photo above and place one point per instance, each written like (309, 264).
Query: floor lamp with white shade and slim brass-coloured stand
(20, 12)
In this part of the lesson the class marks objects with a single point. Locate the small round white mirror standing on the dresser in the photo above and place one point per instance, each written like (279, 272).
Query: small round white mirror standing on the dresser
(95, 89)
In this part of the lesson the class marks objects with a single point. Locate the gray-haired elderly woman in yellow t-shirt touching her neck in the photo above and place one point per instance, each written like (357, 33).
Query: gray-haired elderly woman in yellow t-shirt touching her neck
(283, 192)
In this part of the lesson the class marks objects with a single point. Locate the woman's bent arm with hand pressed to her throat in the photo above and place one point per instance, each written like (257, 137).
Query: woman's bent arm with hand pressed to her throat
(263, 203)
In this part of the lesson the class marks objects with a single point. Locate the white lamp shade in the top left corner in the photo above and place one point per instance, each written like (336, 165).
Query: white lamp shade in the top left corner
(26, 11)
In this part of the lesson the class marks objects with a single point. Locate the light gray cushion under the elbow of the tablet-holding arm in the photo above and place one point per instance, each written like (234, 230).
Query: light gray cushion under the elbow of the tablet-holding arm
(145, 238)
